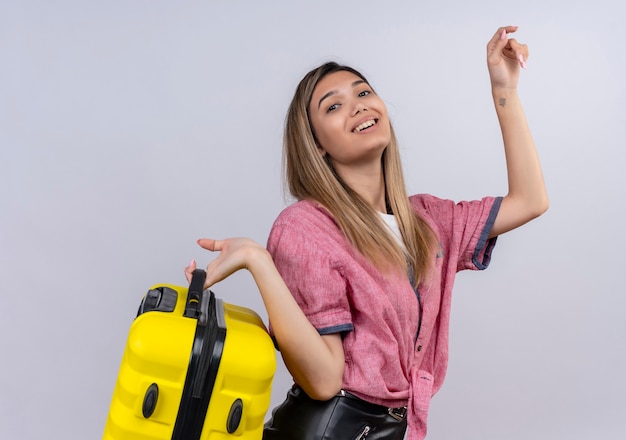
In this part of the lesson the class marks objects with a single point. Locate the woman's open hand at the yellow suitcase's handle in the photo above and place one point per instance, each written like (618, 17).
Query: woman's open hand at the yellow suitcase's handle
(234, 254)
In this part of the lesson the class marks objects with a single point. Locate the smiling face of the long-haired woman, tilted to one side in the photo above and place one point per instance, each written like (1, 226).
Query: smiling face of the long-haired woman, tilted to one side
(349, 120)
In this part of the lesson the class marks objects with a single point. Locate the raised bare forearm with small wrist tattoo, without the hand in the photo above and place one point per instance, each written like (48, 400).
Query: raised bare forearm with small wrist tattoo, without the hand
(526, 197)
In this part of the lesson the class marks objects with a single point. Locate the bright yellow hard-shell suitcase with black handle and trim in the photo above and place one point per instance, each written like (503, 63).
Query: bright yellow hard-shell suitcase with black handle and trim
(194, 368)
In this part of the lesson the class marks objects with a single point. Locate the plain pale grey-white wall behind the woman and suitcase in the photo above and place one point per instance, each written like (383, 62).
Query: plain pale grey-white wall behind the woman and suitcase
(128, 129)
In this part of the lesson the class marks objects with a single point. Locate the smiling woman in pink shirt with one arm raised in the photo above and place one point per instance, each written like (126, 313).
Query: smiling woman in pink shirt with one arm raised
(357, 276)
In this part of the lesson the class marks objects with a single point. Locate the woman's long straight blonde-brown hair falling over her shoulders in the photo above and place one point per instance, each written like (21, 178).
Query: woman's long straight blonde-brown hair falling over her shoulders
(310, 177)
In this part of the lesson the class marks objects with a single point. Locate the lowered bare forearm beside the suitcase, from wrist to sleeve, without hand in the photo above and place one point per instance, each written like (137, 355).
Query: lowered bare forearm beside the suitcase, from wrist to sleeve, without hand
(315, 362)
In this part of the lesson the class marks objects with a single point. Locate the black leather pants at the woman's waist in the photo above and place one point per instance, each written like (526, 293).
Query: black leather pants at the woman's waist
(342, 418)
